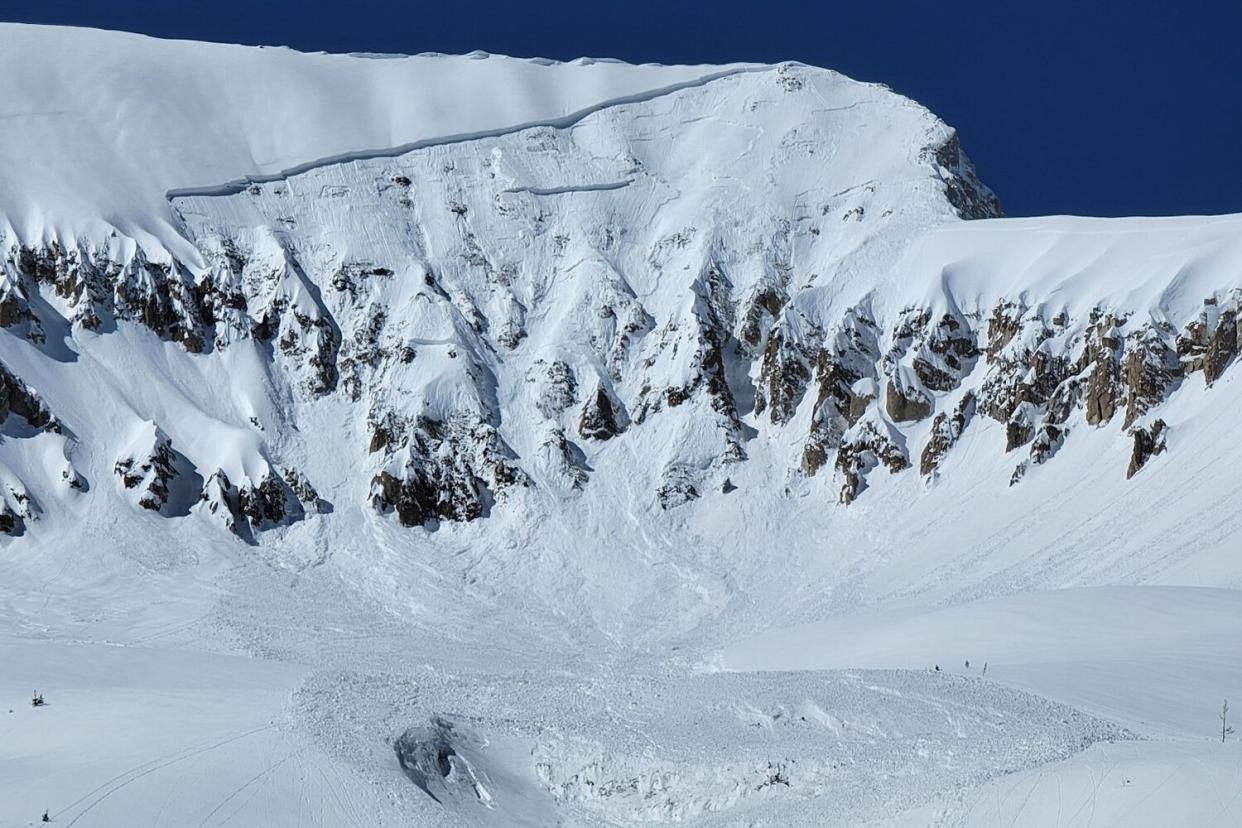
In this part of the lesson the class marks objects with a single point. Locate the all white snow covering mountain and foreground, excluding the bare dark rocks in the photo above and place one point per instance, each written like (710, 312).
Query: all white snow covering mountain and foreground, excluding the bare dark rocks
(758, 657)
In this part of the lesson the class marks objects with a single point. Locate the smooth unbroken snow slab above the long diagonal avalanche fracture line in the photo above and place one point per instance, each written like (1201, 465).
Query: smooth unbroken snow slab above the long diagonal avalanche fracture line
(106, 124)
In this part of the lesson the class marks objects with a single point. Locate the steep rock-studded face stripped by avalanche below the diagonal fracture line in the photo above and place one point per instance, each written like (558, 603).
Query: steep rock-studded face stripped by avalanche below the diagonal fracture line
(497, 307)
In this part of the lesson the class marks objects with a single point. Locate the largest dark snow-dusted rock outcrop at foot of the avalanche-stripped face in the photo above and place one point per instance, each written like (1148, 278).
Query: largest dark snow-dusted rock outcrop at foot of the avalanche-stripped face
(445, 471)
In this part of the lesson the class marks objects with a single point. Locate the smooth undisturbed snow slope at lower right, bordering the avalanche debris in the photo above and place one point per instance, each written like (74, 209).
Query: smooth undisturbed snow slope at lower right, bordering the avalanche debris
(1156, 660)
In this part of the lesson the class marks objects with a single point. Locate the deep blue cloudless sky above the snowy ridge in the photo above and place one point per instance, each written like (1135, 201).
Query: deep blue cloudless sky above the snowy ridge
(1096, 107)
